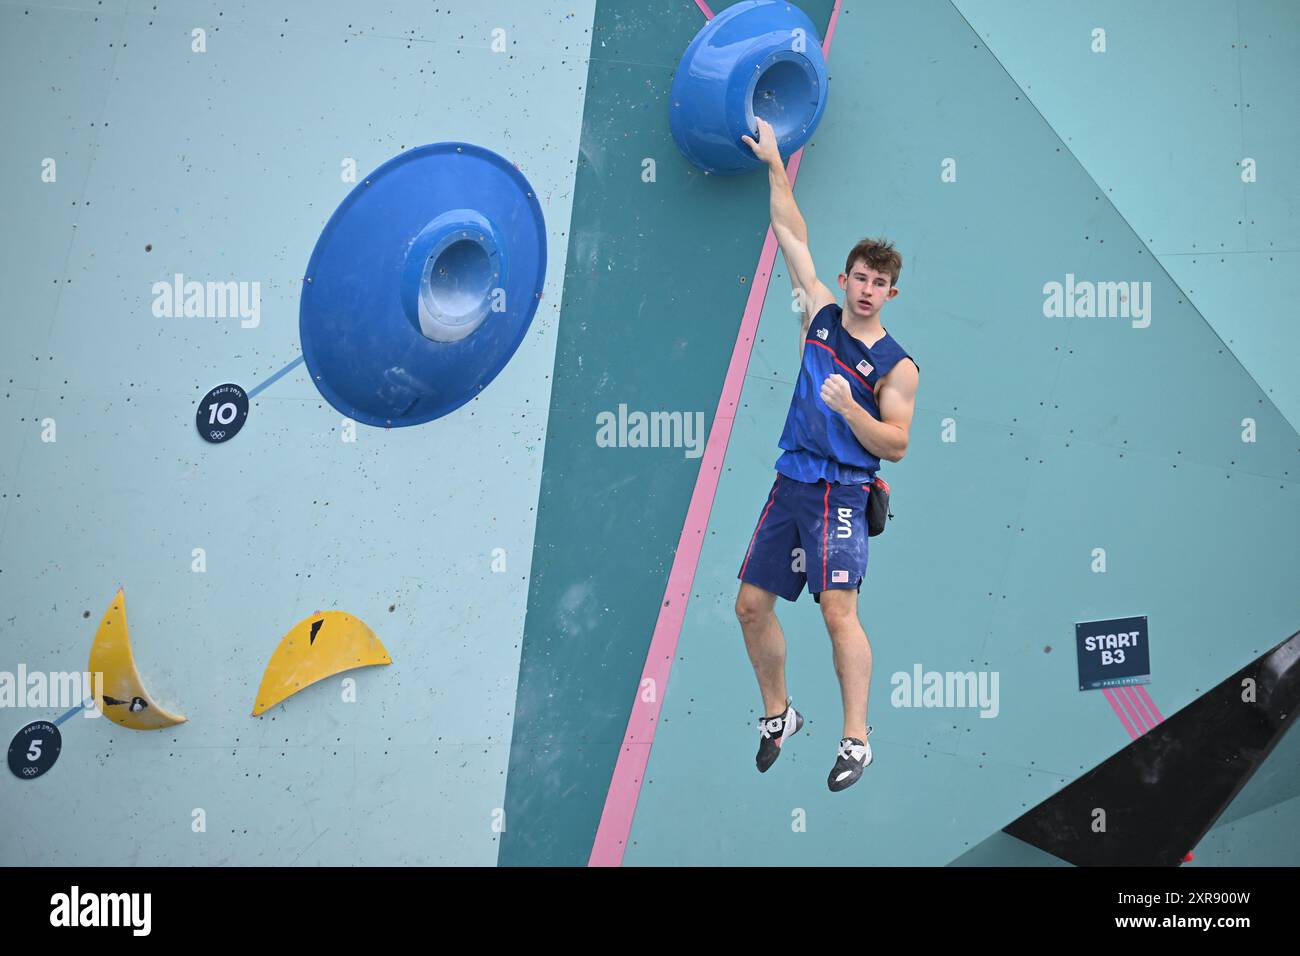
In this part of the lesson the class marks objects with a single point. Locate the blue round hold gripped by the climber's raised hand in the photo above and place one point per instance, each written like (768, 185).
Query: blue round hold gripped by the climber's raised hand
(756, 59)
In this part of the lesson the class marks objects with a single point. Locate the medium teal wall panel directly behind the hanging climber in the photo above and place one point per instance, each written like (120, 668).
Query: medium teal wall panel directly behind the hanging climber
(1071, 435)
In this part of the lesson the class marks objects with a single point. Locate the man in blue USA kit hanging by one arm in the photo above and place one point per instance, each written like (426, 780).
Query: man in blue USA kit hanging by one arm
(852, 409)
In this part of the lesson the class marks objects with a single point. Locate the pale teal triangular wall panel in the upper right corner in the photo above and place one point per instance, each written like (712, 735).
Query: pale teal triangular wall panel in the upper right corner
(1163, 120)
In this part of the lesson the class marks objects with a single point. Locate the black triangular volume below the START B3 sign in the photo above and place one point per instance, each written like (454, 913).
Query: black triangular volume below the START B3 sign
(1164, 791)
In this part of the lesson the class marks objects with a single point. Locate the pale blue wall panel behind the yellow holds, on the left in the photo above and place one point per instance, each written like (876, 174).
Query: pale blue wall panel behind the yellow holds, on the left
(227, 165)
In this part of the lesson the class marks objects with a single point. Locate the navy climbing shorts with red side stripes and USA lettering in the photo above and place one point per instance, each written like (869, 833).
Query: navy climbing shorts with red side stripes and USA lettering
(814, 534)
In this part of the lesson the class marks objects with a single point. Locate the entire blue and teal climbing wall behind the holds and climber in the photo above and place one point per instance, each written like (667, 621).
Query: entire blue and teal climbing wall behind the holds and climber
(522, 563)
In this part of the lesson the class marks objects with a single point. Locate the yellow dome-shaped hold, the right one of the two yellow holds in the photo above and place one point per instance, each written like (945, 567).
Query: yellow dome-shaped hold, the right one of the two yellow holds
(317, 648)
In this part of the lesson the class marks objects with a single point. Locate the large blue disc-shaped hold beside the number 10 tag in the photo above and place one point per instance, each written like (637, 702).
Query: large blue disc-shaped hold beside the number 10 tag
(423, 284)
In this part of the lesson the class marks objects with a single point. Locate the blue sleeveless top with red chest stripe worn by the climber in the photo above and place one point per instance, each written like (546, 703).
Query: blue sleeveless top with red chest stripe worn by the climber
(818, 443)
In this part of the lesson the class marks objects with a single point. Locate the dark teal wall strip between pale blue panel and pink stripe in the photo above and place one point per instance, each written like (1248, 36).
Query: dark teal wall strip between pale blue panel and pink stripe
(653, 296)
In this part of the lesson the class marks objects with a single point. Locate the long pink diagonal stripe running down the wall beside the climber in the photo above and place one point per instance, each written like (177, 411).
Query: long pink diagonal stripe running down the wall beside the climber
(621, 803)
